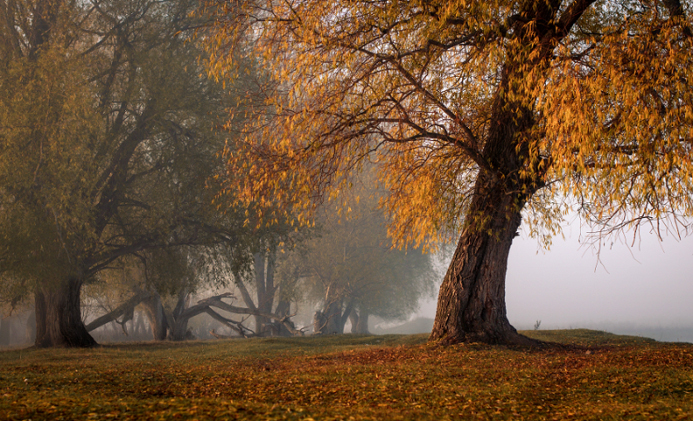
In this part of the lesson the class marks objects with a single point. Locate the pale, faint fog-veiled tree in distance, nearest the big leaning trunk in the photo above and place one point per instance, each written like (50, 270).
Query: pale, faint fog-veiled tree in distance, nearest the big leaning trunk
(352, 269)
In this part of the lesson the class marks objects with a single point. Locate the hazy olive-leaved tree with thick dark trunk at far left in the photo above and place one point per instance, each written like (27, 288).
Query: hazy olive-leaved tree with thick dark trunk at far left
(107, 146)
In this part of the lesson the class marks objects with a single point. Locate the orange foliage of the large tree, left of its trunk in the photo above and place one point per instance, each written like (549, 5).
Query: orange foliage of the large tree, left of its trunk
(362, 85)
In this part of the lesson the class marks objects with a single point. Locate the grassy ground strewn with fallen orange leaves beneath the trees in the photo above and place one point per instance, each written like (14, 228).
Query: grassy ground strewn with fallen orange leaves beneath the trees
(353, 377)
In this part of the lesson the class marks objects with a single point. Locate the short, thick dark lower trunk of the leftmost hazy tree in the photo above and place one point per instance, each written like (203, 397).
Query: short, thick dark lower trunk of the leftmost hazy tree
(58, 315)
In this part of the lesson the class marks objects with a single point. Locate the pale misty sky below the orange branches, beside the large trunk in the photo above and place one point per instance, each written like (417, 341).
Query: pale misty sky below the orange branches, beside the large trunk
(650, 283)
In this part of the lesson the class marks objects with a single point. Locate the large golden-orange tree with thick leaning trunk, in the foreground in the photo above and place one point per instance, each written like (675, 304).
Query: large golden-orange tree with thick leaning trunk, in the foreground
(475, 112)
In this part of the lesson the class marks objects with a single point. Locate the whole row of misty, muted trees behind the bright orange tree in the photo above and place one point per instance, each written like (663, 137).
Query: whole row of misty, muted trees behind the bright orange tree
(113, 205)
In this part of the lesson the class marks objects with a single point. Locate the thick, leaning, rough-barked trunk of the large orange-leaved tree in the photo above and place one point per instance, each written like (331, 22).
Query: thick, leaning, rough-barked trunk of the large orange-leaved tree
(471, 303)
